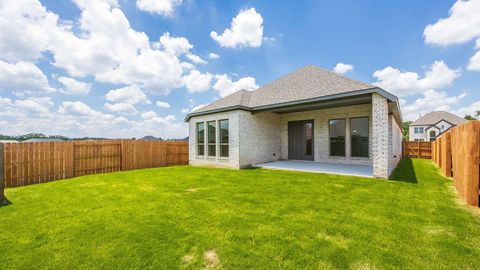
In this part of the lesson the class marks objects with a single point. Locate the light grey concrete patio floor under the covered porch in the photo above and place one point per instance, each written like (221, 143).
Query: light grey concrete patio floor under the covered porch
(319, 167)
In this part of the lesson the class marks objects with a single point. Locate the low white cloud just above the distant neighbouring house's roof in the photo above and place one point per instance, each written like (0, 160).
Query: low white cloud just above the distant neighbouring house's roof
(430, 101)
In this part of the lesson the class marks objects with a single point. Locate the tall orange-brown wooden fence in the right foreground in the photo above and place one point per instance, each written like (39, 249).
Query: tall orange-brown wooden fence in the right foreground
(457, 153)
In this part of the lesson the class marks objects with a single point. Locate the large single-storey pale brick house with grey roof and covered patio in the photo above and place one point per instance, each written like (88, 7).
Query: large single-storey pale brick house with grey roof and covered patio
(310, 114)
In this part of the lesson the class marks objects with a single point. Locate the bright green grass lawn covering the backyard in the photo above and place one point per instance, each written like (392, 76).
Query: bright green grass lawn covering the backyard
(190, 218)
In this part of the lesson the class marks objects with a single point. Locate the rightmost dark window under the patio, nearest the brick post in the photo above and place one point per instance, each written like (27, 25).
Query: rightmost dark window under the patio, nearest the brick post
(359, 136)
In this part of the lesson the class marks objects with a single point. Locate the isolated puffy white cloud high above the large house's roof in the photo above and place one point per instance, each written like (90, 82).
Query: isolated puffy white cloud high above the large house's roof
(246, 30)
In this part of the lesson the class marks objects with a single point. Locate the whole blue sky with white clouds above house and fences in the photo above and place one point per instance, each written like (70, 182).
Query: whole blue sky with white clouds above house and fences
(134, 68)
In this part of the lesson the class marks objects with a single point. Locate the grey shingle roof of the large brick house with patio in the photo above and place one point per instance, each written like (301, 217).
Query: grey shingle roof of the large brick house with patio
(307, 84)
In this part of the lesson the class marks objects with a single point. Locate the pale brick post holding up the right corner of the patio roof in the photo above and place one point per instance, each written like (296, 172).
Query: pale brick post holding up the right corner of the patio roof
(379, 136)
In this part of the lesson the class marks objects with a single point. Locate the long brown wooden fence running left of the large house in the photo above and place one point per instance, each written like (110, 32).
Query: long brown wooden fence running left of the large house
(39, 162)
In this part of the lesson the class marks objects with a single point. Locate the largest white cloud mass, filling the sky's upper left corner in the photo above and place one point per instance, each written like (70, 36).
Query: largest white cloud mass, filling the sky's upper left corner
(101, 43)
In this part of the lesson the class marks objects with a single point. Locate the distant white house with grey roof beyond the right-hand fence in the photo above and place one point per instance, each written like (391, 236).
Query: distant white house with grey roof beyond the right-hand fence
(431, 125)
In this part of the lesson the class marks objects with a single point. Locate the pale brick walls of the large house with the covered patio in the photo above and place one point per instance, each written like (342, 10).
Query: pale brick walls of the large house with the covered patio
(262, 137)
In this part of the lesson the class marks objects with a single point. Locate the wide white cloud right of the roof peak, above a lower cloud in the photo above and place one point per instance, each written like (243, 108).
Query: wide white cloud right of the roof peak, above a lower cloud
(409, 83)
